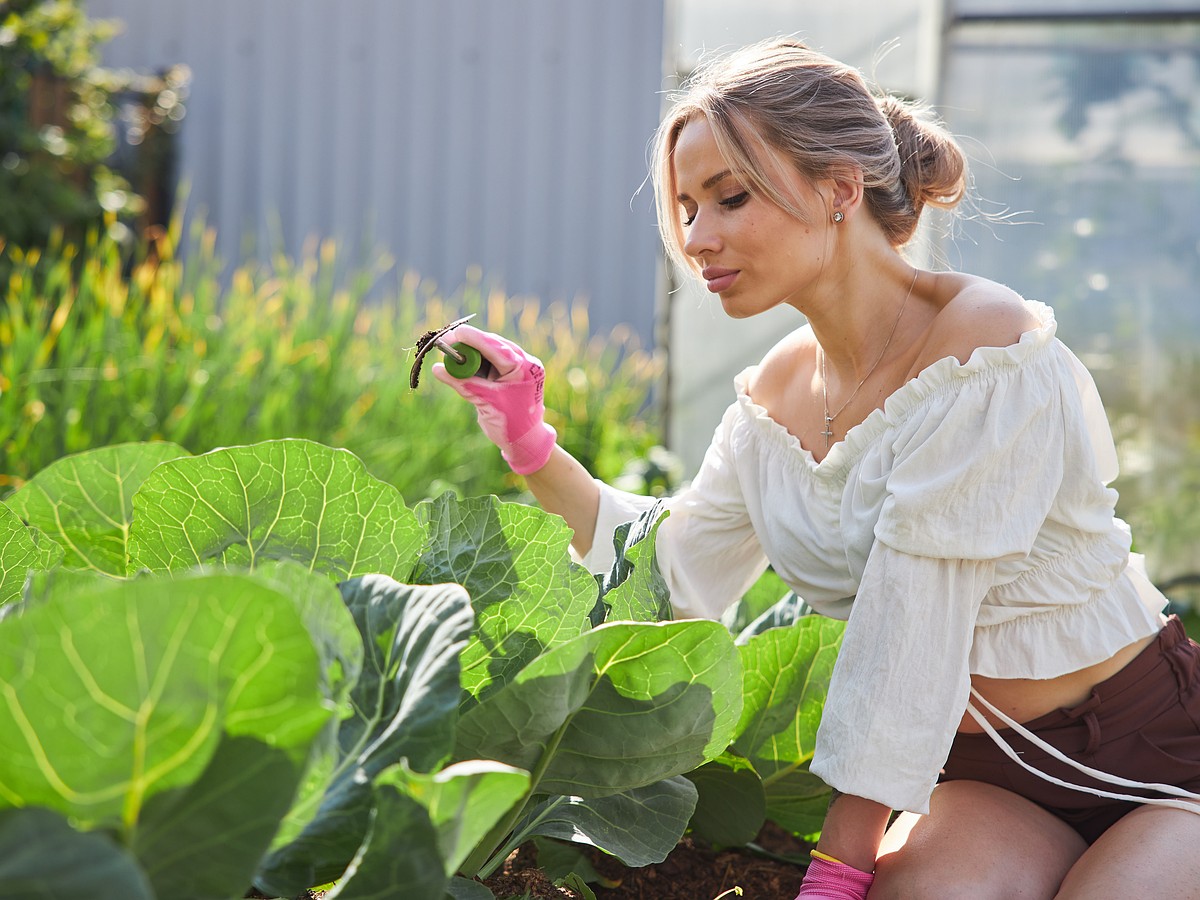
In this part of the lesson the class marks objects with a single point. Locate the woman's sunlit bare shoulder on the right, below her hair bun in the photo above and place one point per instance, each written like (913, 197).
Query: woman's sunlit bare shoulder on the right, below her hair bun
(976, 313)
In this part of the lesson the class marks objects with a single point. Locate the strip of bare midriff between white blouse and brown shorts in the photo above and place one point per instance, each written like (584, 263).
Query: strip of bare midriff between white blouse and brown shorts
(1027, 699)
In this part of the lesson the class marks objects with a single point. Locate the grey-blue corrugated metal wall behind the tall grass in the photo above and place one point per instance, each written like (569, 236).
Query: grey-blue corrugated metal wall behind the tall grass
(507, 135)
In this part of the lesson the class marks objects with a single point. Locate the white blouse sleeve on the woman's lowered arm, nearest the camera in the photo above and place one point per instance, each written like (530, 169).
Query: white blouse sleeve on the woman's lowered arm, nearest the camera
(973, 472)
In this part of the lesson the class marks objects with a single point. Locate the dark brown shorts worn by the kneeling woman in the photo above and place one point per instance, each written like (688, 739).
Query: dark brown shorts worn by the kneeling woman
(1142, 724)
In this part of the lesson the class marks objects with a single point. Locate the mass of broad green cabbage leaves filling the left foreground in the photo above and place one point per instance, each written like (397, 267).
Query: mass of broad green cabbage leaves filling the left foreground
(260, 667)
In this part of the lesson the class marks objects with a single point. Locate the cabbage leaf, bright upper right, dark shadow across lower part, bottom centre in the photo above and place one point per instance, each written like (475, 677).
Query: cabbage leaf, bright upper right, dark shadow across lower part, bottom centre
(619, 707)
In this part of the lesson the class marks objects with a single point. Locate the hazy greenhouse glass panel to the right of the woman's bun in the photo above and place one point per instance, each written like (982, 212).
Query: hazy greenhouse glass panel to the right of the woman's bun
(1085, 146)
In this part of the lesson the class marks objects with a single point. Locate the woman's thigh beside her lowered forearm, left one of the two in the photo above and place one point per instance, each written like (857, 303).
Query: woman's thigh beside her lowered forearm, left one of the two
(979, 842)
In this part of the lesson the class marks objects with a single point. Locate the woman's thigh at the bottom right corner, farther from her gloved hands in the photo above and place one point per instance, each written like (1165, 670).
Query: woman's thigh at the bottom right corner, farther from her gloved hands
(1151, 853)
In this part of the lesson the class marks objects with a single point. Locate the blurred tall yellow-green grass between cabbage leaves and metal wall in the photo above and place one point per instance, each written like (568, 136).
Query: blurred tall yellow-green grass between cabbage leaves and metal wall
(98, 349)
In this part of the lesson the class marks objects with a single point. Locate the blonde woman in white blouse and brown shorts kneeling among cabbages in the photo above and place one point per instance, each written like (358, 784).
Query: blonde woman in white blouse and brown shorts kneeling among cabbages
(925, 459)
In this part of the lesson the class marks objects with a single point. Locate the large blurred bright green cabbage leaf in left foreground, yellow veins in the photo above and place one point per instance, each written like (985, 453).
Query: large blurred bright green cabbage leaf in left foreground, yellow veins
(123, 689)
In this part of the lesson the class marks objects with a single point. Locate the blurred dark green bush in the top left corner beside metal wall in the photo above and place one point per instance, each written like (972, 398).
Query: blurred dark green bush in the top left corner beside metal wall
(56, 125)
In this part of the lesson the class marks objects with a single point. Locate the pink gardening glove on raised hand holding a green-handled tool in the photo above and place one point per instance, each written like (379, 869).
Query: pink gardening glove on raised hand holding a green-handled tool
(508, 403)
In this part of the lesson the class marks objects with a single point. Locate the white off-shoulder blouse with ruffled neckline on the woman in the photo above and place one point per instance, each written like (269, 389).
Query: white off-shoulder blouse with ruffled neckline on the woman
(967, 527)
